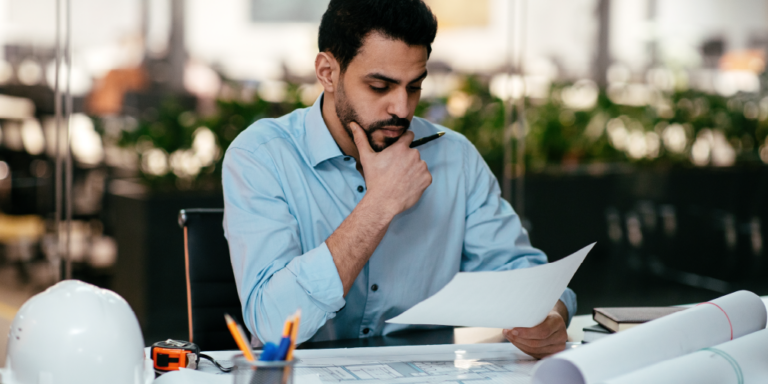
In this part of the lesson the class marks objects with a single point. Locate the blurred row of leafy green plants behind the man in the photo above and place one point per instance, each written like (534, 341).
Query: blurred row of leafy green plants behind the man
(556, 134)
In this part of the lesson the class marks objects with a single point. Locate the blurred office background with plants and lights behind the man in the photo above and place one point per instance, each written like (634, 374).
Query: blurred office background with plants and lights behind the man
(639, 124)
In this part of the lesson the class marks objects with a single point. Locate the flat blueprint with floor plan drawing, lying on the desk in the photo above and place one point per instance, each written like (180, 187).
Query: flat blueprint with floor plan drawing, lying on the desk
(473, 363)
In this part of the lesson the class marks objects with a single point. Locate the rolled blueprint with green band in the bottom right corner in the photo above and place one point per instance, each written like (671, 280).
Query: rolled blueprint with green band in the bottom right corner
(744, 360)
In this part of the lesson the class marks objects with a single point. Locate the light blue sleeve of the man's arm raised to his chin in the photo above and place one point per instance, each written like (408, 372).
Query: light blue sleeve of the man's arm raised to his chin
(274, 276)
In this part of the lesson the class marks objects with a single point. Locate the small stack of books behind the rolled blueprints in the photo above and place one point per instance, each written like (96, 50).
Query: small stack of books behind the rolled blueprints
(617, 319)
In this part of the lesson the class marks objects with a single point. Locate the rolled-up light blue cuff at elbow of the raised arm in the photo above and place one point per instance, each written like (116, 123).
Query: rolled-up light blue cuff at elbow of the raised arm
(317, 275)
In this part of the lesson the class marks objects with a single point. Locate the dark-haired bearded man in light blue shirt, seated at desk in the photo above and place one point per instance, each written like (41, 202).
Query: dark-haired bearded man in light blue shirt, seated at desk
(327, 209)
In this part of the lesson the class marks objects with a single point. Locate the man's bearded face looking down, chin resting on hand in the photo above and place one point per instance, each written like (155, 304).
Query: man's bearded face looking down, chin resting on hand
(381, 88)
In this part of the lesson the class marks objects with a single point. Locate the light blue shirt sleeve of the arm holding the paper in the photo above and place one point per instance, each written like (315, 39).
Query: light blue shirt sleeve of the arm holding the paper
(495, 239)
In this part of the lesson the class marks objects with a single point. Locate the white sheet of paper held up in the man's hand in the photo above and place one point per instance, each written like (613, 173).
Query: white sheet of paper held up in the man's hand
(503, 299)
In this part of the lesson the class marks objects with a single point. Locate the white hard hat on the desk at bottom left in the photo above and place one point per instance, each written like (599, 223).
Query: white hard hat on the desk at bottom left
(76, 333)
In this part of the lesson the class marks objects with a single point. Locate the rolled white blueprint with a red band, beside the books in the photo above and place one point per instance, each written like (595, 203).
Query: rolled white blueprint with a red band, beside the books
(705, 325)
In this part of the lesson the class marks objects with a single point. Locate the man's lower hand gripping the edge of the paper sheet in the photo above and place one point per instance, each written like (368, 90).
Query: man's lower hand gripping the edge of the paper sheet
(545, 339)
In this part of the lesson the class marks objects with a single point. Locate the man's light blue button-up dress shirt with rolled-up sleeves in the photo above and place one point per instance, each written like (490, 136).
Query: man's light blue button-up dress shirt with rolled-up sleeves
(288, 186)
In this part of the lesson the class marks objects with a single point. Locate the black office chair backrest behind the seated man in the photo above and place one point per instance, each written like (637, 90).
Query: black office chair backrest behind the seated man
(211, 289)
